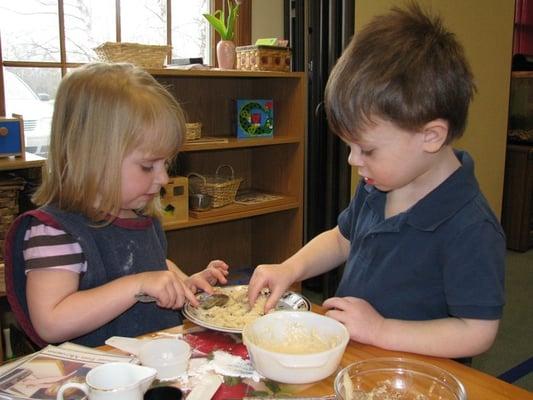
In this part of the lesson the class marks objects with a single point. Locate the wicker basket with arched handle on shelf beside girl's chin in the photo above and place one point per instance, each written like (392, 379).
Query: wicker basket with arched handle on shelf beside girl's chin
(222, 189)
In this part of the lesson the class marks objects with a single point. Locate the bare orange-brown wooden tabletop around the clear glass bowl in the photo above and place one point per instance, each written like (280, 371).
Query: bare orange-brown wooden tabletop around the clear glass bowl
(479, 385)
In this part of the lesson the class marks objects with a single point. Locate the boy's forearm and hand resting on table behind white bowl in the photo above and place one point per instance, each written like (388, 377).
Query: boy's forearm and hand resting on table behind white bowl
(447, 337)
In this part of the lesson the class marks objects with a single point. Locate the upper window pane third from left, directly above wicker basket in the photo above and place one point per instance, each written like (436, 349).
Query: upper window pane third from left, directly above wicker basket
(144, 21)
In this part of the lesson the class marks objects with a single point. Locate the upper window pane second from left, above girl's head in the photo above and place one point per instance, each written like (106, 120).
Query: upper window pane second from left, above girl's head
(88, 23)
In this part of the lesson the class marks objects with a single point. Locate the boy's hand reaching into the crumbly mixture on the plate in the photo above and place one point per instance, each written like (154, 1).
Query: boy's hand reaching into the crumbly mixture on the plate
(276, 277)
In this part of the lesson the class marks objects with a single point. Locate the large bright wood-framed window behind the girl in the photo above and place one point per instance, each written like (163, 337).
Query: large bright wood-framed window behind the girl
(41, 39)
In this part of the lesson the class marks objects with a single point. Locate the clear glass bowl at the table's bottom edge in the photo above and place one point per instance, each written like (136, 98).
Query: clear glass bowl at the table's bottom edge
(395, 379)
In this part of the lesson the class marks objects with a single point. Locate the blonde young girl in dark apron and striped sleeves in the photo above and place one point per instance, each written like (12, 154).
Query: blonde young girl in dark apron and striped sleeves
(75, 265)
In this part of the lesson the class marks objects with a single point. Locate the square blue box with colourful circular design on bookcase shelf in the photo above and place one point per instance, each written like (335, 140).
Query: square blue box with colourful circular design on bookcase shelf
(255, 118)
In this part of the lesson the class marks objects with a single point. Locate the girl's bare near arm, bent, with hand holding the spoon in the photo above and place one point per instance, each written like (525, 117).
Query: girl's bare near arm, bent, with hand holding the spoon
(59, 311)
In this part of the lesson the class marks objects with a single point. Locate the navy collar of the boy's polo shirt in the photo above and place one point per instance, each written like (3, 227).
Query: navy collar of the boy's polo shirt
(440, 204)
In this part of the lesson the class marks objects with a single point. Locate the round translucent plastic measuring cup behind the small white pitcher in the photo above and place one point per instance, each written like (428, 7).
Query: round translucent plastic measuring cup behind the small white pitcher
(170, 357)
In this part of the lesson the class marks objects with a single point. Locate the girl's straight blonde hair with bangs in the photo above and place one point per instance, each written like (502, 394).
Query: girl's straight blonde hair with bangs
(102, 113)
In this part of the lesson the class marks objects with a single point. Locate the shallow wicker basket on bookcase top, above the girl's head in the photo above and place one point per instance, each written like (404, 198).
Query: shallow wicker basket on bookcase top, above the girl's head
(142, 55)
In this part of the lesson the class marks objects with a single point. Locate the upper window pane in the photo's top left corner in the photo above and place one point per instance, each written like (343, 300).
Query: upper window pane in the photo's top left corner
(30, 30)
